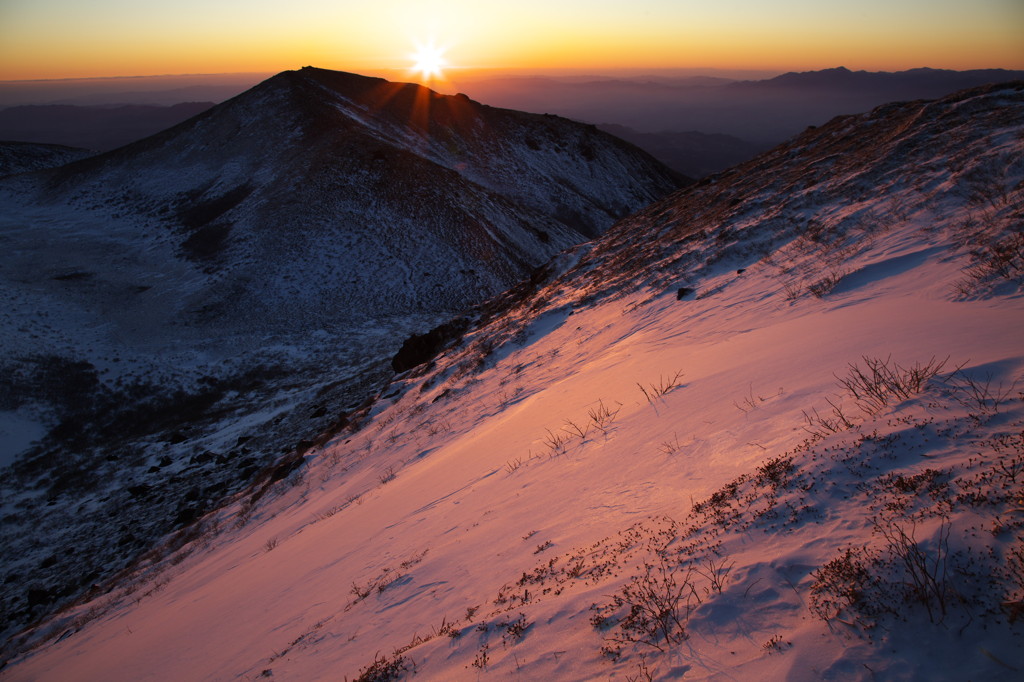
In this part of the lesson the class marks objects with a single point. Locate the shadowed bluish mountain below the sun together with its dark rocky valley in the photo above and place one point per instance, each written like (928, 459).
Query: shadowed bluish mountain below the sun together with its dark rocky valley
(181, 312)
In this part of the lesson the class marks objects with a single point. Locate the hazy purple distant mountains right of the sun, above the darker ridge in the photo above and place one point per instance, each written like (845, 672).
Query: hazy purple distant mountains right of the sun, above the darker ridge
(764, 113)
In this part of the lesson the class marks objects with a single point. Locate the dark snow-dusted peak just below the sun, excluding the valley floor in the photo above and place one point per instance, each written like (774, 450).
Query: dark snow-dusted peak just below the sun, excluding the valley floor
(389, 196)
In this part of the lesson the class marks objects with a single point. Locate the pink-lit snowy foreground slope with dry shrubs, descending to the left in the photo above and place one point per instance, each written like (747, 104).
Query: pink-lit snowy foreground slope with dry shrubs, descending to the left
(770, 428)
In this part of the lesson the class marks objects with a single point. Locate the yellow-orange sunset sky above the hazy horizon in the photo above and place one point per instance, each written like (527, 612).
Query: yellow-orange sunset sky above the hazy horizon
(92, 38)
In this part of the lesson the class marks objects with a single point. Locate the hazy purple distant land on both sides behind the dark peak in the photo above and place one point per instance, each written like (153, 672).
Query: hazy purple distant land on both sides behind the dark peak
(697, 125)
